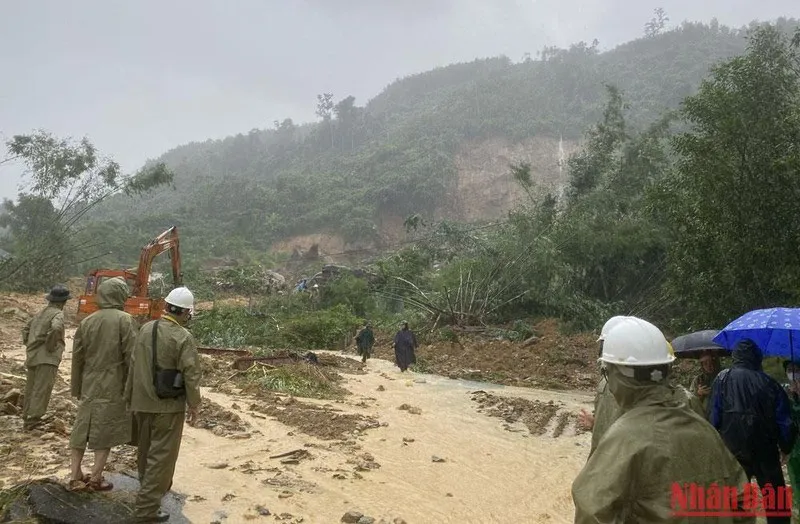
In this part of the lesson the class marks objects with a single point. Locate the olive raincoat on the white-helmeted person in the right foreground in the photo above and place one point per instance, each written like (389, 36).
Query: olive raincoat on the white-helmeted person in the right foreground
(657, 441)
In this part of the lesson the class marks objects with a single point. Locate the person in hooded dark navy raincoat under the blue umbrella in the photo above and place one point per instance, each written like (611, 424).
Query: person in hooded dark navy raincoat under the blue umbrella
(752, 413)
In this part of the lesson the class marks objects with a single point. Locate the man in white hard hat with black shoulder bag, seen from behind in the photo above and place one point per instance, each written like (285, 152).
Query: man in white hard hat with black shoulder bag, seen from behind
(160, 413)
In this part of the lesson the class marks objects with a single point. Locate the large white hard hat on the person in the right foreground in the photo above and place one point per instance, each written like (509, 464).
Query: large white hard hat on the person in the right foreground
(631, 341)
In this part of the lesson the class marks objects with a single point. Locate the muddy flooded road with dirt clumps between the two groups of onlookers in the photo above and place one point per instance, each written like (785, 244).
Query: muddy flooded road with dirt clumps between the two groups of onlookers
(400, 447)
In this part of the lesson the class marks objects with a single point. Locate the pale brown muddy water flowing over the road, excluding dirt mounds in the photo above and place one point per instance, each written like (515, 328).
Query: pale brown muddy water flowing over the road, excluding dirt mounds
(489, 474)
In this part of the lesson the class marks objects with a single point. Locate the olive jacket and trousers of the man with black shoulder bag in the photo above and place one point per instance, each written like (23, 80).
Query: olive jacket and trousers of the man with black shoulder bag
(160, 421)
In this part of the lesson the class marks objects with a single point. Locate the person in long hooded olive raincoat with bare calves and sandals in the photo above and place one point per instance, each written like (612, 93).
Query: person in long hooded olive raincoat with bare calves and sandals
(101, 354)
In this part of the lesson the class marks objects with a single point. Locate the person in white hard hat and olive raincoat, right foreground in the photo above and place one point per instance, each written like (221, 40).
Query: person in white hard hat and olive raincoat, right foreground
(657, 443)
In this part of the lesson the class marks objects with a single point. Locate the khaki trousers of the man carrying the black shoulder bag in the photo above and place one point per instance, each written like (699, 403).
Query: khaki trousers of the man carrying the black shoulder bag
(159, 439)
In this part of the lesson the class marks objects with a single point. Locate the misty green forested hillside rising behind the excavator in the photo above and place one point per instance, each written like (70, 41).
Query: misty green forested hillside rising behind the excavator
(395, 155)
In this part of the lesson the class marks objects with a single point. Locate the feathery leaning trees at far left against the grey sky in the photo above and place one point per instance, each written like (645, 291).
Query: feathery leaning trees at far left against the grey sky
(64, 181)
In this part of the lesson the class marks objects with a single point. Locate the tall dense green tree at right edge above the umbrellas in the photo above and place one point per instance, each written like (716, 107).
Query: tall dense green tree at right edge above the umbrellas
(732, 200)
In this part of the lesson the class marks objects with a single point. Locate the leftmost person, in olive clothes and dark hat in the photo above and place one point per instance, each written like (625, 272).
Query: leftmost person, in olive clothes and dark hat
(43, 337)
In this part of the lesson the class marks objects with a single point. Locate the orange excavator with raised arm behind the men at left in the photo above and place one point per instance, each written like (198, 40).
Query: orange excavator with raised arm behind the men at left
(139, 304)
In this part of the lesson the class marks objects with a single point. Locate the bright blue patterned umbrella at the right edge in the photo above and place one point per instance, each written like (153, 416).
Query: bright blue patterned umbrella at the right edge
(776, 331)
